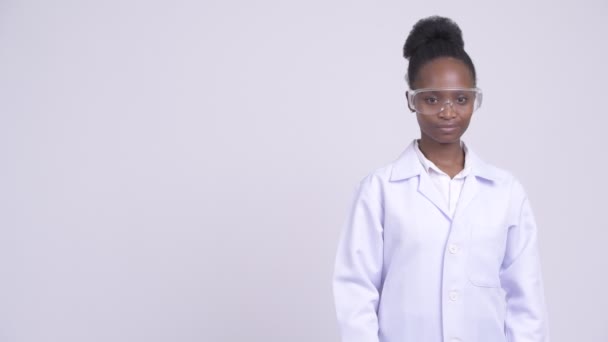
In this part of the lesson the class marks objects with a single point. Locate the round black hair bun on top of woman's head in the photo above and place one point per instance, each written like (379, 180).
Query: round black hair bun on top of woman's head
(432, 30)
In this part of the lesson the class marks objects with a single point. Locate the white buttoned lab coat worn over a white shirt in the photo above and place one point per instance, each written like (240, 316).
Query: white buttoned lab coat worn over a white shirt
(406, 271)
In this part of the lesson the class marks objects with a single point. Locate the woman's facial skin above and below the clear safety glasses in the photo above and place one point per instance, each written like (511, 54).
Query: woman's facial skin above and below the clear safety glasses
(447, 126)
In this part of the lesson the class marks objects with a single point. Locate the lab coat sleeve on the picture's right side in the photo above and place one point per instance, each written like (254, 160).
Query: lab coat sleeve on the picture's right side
(526, 319)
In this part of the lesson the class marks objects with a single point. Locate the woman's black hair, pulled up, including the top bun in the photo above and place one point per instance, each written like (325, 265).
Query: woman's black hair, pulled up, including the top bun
(431, 38)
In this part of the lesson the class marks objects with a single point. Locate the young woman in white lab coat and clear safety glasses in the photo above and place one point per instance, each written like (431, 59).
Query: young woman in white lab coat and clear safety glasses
(440, 246)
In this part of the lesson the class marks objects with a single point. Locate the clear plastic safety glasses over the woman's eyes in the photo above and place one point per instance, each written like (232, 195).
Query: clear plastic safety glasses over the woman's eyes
(432, 101)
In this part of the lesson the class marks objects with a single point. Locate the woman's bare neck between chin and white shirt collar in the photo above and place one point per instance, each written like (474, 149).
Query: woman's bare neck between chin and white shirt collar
(449, 157)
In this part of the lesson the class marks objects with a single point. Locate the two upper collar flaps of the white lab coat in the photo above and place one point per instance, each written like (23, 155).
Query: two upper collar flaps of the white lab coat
(408, 165)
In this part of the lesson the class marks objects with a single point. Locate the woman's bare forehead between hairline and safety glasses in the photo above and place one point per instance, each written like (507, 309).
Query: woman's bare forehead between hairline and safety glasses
(444, 72)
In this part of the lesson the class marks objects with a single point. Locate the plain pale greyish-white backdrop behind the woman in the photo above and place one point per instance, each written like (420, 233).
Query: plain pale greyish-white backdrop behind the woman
(180, 171)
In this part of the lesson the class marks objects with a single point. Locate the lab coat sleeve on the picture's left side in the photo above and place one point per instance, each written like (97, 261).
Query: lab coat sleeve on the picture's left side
(358, 269)
